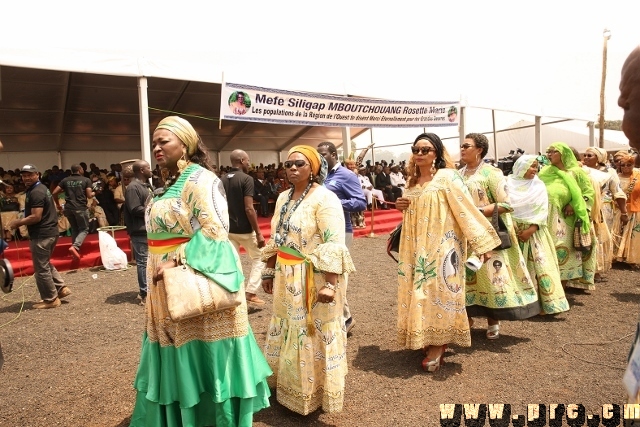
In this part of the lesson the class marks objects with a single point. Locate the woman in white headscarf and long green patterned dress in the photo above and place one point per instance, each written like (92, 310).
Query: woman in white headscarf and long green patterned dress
(530, 204)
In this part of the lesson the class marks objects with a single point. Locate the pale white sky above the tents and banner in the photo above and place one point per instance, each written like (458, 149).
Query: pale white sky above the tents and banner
(540, 57)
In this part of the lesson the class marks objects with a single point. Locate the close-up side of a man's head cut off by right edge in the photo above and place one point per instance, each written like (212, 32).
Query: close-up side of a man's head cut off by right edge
(629, 99)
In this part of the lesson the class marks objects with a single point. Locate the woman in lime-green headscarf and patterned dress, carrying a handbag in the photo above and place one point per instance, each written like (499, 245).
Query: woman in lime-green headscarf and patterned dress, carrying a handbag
(571, 197)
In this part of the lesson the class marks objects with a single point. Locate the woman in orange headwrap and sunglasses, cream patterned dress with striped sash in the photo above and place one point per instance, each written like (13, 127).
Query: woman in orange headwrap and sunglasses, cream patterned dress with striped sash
(306, 265)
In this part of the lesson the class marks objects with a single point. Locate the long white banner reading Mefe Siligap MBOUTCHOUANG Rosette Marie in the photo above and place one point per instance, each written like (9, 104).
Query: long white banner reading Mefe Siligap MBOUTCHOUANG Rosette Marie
(257, 104)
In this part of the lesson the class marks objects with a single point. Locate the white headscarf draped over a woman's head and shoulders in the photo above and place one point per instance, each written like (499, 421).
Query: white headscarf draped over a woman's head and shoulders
(529, 198)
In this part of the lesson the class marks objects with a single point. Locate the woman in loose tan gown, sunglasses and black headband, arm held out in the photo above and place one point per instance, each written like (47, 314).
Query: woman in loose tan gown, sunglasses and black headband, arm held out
(440, 221)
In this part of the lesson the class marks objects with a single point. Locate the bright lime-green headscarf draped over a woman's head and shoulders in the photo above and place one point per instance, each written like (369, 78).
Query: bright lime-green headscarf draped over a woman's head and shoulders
(573, 178)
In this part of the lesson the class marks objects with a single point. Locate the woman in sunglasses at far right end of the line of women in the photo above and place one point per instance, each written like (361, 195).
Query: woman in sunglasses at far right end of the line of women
(628, 247)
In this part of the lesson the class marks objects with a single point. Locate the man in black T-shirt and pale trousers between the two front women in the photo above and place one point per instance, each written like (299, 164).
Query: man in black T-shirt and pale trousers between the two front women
(243, 221)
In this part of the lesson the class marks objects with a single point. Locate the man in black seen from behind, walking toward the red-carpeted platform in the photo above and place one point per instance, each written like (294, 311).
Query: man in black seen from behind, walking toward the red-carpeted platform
(77, 189)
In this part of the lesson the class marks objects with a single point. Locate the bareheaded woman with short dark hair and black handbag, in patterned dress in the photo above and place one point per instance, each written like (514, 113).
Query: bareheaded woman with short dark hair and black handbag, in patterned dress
(515, 298)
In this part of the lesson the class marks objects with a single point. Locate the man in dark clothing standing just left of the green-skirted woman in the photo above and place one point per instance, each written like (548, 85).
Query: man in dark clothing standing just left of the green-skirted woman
(135, 199)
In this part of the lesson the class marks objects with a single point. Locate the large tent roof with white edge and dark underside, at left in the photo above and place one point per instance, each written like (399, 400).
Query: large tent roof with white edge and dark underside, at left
(84, 102)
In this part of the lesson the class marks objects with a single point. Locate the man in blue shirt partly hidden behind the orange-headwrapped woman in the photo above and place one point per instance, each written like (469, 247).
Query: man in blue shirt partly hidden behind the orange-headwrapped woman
(346, 186)
